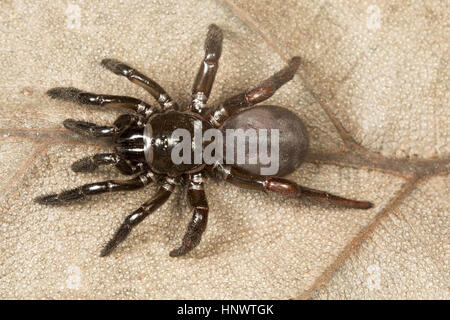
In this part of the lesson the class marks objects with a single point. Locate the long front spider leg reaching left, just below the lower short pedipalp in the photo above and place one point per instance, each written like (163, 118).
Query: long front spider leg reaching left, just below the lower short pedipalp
(97, 188)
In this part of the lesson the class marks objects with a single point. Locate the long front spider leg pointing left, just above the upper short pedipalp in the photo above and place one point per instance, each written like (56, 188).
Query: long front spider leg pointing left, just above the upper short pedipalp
(86, 98)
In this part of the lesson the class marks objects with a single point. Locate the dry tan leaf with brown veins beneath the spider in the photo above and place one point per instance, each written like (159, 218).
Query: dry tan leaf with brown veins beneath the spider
(373, 92)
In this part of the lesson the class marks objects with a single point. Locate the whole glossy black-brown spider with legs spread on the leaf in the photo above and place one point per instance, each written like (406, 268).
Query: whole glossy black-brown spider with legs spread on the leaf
(142, 144)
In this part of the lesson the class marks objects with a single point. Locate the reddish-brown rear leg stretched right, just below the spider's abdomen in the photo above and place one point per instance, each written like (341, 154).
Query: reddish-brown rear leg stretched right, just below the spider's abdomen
(284, 187)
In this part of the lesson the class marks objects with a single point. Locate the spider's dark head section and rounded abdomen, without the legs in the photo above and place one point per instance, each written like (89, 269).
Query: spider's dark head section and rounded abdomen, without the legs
(152, 143)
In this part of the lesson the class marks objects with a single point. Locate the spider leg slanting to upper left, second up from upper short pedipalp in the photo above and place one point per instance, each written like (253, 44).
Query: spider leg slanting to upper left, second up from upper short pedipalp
(141, 80)
